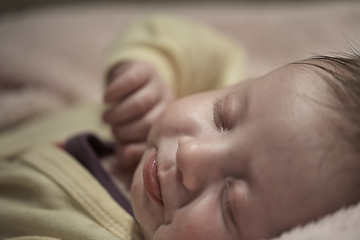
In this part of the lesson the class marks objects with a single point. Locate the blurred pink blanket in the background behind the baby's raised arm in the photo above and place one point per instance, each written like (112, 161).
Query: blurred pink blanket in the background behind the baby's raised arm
(50, 58)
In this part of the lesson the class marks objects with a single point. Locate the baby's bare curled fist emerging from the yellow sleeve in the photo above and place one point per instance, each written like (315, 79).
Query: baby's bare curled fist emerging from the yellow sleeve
(138, 96)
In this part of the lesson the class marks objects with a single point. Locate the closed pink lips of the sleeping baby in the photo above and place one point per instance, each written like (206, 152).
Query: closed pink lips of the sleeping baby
(151, 181)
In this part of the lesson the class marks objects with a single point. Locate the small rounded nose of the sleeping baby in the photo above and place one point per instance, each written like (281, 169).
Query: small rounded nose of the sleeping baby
(199, 161)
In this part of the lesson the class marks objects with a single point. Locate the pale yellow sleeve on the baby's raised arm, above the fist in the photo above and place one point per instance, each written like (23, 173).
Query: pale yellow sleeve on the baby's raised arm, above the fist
(190, 58)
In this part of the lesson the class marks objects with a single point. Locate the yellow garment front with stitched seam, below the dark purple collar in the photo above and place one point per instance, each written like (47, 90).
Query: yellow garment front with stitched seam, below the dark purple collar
(45, 194)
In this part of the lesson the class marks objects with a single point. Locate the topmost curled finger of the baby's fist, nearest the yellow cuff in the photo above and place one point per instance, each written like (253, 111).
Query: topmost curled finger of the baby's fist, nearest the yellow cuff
(127, 81)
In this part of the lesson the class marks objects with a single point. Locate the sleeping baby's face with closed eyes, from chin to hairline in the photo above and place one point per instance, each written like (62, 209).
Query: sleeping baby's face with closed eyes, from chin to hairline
(245, 162)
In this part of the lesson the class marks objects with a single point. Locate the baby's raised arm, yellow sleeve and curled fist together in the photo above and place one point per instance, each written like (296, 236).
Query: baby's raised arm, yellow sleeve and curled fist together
(174, 54)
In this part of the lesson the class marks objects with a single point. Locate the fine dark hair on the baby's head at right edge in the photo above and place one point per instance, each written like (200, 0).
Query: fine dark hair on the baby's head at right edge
(344, 85)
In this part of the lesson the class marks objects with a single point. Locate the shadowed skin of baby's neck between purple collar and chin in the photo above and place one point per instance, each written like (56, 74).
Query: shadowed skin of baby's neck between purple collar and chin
(121, 179)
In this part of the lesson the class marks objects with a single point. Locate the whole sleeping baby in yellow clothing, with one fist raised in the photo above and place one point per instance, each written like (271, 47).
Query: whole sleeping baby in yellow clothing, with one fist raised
(202, 152)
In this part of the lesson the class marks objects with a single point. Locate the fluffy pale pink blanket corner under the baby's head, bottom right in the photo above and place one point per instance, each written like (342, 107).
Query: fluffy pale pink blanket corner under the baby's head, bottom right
(343, 224)
